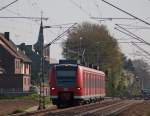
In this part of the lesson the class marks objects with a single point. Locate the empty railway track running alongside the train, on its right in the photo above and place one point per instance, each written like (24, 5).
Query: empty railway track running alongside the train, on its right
(105, 109)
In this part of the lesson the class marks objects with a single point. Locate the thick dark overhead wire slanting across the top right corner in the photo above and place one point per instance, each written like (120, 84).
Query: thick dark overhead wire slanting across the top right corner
(127, 13)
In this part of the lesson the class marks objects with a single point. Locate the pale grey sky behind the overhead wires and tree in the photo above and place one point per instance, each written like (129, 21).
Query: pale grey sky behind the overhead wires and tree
(71, 11)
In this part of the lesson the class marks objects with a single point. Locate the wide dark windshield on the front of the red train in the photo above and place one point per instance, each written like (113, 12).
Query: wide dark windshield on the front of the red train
(66, 76)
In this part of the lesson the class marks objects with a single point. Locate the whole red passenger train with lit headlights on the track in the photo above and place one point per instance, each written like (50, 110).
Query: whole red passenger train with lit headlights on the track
(74, 84)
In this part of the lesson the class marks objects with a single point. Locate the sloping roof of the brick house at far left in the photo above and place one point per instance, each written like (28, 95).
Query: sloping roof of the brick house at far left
(13, 49)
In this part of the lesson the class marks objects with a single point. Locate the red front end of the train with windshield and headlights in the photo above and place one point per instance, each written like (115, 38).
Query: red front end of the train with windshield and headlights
(63, 85)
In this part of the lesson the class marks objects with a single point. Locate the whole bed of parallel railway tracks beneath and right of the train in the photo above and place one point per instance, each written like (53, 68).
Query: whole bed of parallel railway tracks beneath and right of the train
(105, 108)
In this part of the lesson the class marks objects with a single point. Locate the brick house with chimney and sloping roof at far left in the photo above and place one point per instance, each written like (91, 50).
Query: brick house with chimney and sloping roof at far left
(15, 67)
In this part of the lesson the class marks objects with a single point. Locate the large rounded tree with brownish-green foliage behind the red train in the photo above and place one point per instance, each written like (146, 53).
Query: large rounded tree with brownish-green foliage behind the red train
(94, 45)
